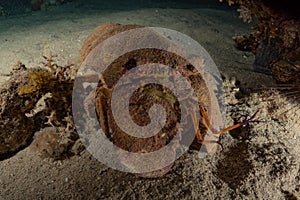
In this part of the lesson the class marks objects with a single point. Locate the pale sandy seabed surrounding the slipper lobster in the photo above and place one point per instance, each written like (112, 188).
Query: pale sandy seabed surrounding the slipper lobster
(259, 161)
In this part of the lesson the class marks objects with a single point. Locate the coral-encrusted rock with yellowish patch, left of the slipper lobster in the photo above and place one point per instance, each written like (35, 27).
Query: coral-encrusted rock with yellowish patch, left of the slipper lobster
(32, 100)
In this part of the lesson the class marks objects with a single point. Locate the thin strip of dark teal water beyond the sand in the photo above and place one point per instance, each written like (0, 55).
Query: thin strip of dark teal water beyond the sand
(19, 7)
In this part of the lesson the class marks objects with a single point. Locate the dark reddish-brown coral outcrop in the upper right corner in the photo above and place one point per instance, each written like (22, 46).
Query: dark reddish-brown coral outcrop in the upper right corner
(276, 40)
